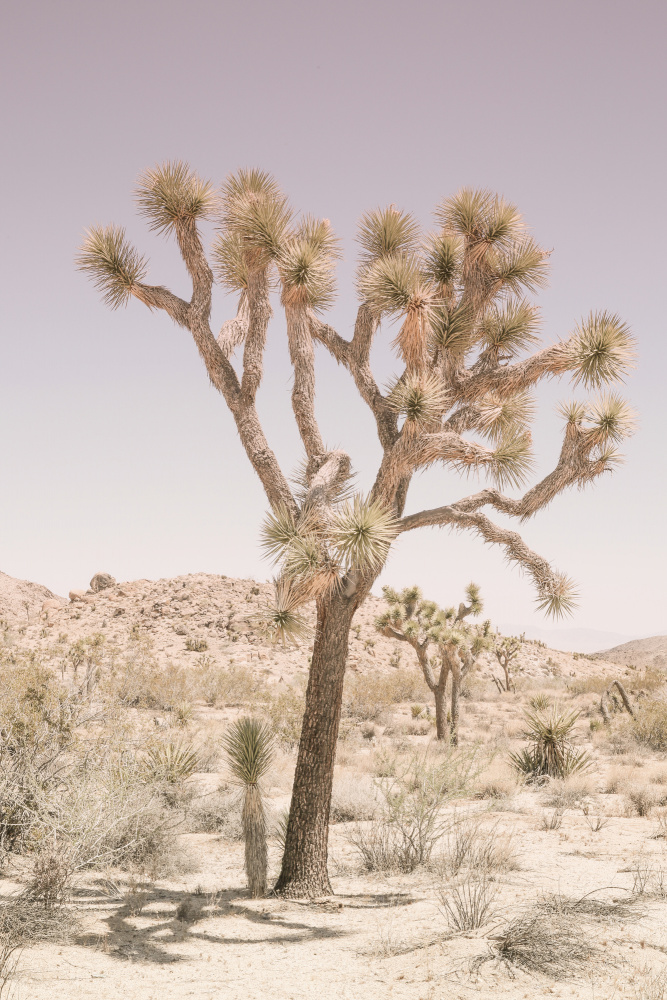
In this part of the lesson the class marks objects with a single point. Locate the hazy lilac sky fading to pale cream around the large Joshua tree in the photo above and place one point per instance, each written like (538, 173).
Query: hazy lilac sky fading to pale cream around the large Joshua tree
(116, 453)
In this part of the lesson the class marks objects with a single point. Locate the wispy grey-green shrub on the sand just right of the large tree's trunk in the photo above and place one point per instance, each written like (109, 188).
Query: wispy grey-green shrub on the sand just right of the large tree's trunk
(411, 795)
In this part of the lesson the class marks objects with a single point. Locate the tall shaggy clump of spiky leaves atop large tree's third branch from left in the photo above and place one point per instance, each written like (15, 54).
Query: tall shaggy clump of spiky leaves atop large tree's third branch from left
(256, 211)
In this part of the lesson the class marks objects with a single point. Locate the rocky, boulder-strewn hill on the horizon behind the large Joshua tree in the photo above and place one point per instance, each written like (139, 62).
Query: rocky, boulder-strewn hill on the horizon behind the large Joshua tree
(204, 613)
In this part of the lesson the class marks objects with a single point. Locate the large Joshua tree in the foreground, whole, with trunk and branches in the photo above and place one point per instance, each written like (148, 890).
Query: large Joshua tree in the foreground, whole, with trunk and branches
(462, 399)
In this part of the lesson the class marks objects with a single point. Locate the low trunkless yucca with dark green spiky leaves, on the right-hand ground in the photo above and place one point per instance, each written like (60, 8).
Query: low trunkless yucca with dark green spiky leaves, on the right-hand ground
(550, 752)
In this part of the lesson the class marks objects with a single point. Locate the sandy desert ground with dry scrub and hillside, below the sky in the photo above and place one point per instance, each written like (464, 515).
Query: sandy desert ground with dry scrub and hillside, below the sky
(457, 871)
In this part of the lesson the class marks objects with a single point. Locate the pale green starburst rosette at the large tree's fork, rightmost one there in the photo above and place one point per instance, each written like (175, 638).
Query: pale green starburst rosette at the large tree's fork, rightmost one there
(361, 532)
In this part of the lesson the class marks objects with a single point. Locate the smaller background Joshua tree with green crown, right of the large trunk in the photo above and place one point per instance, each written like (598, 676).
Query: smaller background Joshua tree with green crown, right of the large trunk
(443, 641)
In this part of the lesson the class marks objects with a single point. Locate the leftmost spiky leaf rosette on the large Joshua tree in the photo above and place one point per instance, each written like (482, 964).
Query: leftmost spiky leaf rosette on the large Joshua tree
(112, 263)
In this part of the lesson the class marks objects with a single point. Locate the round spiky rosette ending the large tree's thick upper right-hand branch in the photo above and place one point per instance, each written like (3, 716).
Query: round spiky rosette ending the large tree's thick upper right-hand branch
(602, 350)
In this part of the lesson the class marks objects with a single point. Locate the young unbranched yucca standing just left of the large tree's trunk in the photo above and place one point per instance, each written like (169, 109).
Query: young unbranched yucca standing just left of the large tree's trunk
(249, 745)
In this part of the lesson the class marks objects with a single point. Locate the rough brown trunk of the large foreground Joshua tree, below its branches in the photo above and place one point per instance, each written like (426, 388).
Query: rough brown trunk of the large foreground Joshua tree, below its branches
(304, 869)
